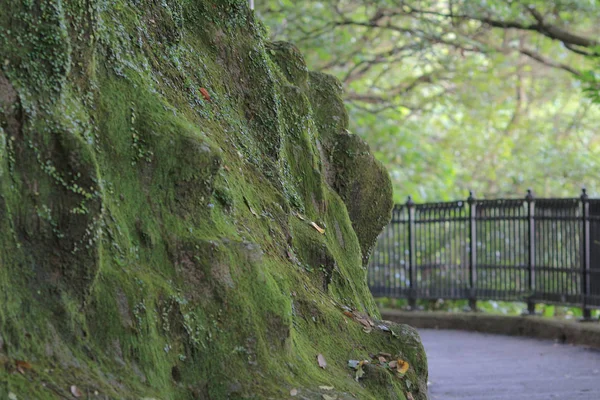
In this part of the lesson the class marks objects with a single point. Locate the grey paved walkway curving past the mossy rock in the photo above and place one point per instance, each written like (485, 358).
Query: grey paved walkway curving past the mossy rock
(477, 366)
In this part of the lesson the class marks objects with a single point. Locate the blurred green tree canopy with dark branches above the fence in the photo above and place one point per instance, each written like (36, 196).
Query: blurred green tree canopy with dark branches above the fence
(494, 96)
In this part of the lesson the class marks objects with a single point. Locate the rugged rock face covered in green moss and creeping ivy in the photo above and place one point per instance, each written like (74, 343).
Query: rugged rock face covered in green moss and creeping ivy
(165, 177)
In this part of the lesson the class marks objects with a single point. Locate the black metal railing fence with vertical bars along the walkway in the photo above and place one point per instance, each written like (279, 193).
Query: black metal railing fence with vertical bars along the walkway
(530, 250)
